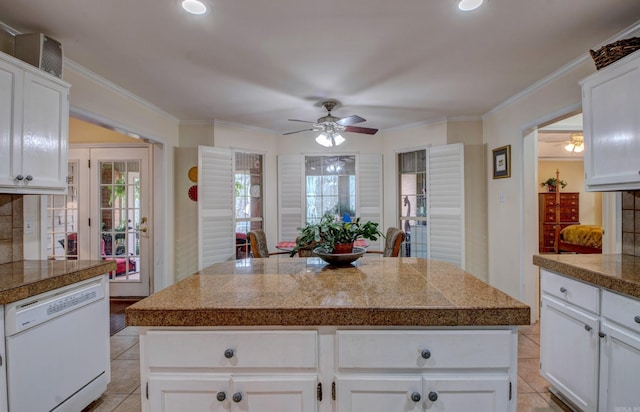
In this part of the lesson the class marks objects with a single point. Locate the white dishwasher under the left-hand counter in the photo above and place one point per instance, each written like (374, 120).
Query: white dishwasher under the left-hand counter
(57, 348)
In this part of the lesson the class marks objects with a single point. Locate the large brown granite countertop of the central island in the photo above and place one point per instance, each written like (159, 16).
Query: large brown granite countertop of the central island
(284, 291)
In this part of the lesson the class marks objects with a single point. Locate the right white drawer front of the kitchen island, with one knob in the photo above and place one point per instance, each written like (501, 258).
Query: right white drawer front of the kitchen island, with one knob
(402, 349)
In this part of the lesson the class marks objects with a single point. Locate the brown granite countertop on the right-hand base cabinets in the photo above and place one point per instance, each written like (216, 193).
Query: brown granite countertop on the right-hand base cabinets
(619, 273)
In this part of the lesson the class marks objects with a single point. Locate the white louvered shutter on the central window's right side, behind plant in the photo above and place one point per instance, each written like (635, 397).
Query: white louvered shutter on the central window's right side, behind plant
(369, 203)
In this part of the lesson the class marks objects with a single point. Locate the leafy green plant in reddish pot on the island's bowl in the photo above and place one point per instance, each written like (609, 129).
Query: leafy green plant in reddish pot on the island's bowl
(335, 235)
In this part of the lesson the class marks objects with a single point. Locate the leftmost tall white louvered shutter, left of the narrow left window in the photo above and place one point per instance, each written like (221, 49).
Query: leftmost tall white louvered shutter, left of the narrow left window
(216, 238)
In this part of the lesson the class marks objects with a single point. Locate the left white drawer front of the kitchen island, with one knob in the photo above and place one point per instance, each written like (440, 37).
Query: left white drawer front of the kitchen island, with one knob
(231, 349)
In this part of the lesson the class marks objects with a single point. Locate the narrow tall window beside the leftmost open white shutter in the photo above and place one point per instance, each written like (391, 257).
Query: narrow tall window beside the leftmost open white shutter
(247, 197)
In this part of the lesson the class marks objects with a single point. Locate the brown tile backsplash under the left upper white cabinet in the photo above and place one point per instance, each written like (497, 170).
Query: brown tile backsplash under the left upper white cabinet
(11, 228)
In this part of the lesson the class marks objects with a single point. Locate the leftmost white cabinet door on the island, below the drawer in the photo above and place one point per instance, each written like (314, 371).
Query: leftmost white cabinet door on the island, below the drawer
(178, 393)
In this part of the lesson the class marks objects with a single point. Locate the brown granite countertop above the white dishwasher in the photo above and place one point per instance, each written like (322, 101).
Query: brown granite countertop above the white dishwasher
(19, 280)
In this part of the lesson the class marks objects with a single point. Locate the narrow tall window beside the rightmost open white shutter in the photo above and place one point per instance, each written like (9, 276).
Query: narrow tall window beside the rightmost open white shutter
(413, 201)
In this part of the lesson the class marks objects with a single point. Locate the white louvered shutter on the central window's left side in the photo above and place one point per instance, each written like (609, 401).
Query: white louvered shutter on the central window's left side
(290, 196)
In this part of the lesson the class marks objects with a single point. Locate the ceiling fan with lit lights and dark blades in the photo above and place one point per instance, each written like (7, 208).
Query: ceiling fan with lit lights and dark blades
(330, 126)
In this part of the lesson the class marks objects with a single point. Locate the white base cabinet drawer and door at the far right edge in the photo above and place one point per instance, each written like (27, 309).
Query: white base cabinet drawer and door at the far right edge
(619, 353)
